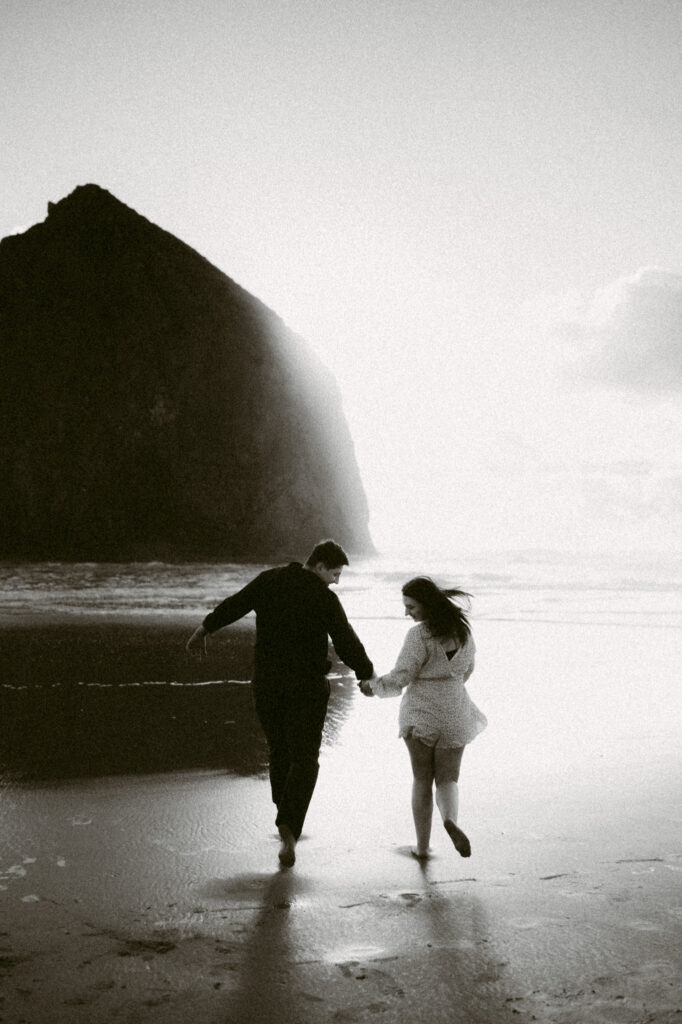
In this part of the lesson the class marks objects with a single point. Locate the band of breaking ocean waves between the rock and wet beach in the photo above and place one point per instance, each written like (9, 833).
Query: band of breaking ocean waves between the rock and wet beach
(629, 591)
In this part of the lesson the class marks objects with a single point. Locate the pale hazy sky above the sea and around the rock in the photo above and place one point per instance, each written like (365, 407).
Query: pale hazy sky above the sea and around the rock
(473, 210)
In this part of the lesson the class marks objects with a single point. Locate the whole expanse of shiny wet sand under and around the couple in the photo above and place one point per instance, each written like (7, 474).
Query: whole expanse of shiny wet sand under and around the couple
(154, 894)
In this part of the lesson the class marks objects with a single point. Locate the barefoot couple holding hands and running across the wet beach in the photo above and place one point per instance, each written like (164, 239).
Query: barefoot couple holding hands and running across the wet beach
(296, 617)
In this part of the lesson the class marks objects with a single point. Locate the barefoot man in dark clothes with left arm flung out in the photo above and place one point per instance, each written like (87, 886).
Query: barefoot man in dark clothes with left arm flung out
(296, 614)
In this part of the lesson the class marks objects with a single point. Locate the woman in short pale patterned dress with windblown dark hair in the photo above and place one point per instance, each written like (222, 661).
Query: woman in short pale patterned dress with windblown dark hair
(438, 717)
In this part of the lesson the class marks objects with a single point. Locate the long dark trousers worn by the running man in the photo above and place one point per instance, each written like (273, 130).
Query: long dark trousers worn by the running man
(292, 715)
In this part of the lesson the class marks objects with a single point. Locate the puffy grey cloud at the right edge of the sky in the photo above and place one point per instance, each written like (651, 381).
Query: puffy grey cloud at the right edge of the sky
(629, 335)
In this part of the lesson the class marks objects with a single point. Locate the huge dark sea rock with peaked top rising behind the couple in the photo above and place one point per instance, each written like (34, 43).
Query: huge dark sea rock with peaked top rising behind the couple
(152, 409)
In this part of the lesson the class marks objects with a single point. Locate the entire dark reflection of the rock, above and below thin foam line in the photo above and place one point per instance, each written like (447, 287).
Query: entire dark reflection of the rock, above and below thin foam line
(120, 698)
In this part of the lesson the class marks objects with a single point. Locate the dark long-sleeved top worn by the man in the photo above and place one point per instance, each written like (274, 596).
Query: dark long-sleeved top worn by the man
(296, 614)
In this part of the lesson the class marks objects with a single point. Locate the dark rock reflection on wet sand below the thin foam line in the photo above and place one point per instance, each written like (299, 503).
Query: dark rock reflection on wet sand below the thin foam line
(91, 732)
